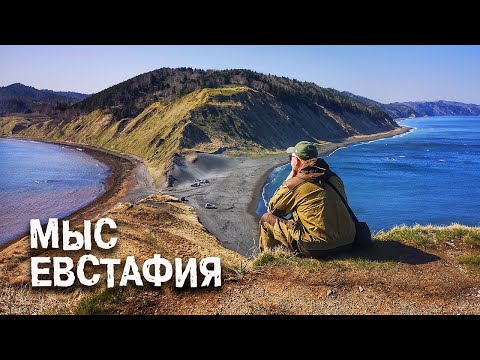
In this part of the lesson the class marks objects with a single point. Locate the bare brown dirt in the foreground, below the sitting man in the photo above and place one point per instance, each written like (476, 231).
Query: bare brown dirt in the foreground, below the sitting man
(430, 283)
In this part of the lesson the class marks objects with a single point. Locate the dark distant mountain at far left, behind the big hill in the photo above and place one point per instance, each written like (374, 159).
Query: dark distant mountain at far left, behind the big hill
(19, 98)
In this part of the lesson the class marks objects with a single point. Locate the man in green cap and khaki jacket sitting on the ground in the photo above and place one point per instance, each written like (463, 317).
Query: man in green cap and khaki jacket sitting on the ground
(321, 224)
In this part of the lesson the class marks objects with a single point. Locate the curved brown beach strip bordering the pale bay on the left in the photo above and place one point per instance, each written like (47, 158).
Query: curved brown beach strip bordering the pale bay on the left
(129, 180)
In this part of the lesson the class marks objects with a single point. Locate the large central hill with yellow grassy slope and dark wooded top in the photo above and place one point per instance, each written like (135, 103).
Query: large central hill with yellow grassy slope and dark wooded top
(165, 113)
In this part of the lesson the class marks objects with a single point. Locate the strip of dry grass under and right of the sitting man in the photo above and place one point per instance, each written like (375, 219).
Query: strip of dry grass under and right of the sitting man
(390, 248)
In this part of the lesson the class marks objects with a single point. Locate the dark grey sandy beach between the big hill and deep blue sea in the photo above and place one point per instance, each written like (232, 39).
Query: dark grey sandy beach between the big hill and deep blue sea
(234, 187)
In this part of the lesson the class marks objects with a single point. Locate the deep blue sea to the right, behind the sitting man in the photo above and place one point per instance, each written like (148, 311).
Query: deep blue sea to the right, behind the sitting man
(430, 175)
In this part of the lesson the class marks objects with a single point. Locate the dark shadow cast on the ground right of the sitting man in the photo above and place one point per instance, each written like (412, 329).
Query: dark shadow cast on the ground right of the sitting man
(389, 250)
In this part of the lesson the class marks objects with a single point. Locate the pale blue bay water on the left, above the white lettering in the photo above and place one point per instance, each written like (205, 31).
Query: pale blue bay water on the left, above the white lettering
(40, 180)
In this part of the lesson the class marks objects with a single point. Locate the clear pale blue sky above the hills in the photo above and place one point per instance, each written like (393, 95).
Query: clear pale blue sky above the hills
(383, 73)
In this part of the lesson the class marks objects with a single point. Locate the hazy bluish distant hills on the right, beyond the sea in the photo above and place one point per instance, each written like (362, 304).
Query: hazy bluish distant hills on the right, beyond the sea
(419, 108)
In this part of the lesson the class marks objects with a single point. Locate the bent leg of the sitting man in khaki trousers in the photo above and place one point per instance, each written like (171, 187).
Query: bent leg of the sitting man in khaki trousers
(273, 231)
